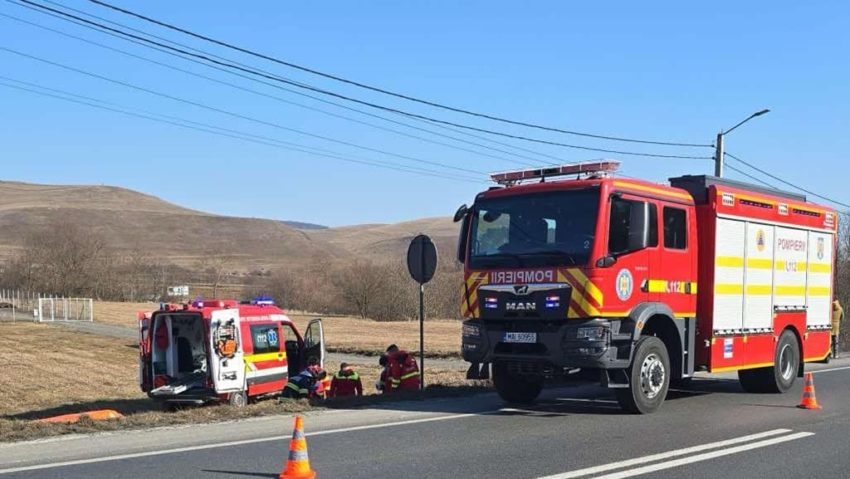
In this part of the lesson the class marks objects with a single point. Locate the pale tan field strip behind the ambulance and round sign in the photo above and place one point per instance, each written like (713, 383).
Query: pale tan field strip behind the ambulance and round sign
(343, 334)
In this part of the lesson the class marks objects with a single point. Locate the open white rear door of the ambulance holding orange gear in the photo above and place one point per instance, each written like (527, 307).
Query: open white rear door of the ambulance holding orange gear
(227, 365)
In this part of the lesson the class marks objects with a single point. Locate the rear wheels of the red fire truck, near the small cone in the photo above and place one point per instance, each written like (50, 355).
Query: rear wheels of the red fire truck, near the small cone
(778, 378)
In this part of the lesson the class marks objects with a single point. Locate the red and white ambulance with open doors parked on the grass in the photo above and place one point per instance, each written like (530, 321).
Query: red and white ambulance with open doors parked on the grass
(222, 351)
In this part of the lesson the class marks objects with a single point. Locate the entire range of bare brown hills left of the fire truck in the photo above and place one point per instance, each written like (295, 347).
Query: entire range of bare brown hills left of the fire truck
(129, 220)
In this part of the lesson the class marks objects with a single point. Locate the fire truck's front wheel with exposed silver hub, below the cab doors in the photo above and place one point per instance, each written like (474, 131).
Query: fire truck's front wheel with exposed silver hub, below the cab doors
(649, 377)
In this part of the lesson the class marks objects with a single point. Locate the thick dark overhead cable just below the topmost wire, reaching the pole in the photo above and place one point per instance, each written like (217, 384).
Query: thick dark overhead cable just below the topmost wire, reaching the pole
(354, 100)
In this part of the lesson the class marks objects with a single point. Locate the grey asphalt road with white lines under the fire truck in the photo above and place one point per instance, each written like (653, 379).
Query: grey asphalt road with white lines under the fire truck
(713, 430)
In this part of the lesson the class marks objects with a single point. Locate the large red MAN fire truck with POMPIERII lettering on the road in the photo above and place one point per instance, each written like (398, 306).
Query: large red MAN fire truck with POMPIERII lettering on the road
(641, 283)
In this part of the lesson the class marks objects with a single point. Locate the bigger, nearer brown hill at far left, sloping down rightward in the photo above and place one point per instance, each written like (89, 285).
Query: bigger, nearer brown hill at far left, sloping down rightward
(129, 220)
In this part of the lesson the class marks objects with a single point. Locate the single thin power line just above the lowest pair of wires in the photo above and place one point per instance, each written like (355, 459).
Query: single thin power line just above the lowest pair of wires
(234, 114)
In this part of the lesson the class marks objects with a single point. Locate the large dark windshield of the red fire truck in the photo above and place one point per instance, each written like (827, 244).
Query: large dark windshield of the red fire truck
(534, 230)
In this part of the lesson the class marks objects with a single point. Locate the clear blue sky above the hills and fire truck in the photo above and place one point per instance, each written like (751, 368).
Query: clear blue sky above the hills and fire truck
(675, 71)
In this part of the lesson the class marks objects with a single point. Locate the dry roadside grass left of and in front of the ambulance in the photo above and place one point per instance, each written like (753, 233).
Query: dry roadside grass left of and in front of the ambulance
(48, 370)
